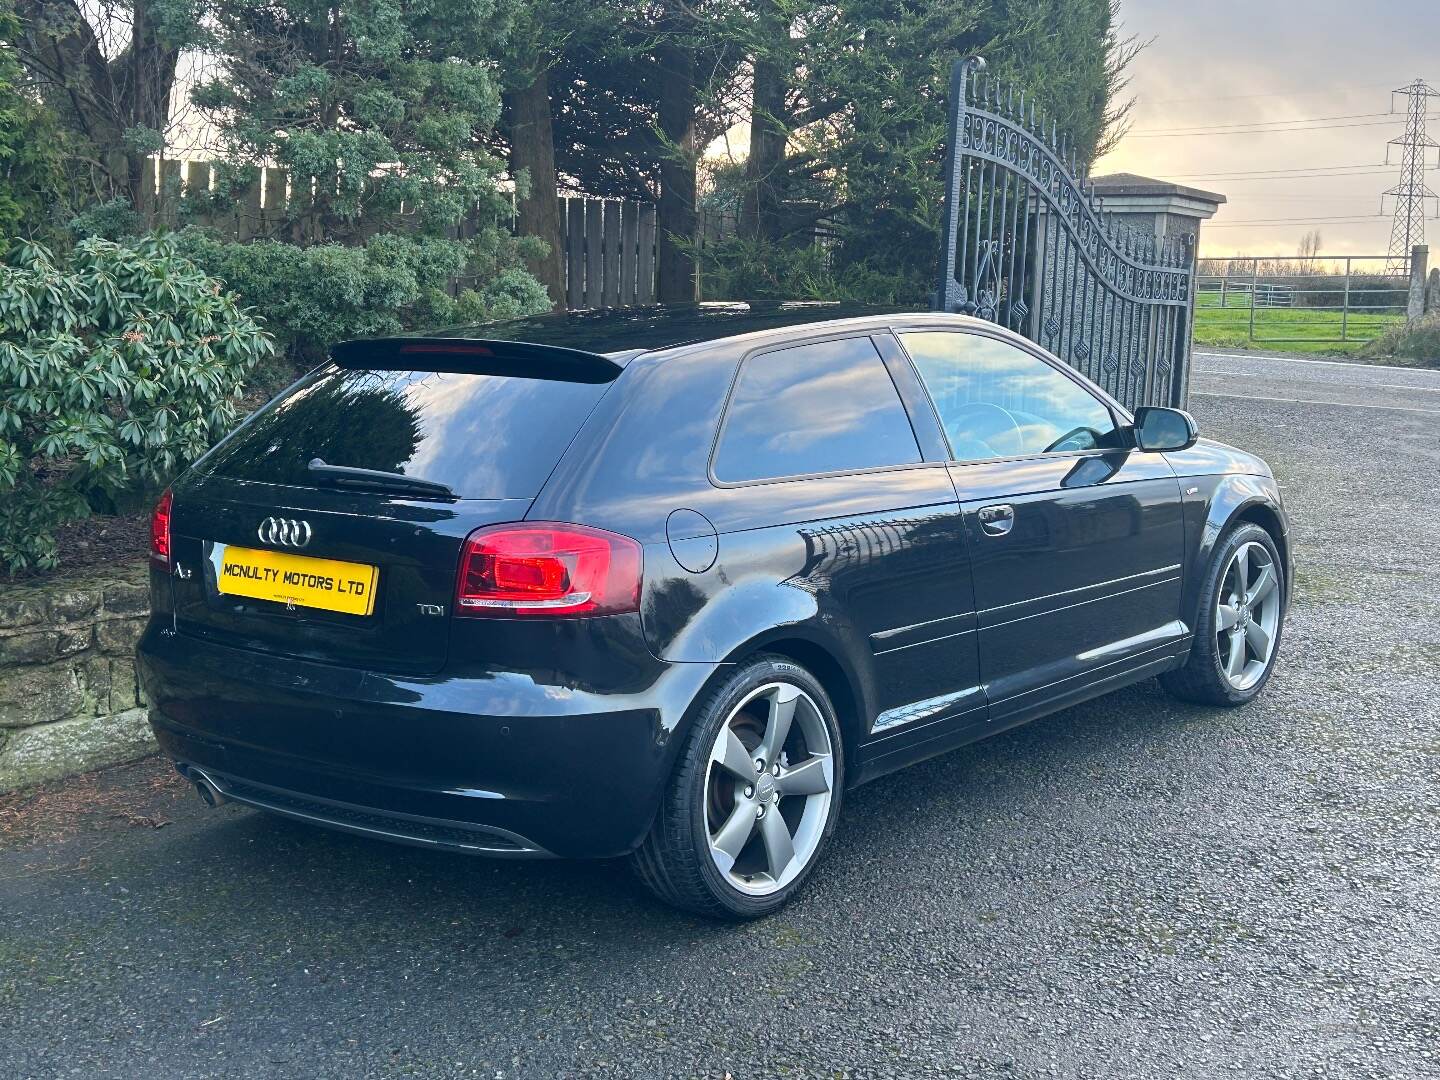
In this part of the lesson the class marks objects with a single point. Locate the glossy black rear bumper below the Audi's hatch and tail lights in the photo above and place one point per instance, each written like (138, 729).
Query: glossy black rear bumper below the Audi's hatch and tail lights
(502, 764)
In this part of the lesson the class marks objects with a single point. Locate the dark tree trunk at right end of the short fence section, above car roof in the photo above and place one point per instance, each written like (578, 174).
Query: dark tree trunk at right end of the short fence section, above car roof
(676, 212)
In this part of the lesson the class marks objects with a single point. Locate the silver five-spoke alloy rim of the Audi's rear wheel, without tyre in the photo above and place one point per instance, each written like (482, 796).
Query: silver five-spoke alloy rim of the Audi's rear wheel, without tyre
(768, 788)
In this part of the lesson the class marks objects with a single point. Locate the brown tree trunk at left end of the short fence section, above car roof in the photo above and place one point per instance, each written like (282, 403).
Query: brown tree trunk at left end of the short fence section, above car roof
(532, 149)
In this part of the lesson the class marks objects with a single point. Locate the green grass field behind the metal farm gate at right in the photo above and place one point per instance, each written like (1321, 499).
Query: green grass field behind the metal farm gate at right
(1291, 330)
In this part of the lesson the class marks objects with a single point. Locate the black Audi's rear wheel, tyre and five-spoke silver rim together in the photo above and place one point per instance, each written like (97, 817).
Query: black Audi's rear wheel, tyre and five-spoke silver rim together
(754, 800)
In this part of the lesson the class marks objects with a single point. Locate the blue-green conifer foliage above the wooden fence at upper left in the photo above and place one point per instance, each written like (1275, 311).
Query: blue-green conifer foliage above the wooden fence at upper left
(384, 103)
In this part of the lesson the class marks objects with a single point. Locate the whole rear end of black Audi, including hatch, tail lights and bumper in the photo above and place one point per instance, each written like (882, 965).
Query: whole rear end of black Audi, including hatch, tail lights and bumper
(354, 618)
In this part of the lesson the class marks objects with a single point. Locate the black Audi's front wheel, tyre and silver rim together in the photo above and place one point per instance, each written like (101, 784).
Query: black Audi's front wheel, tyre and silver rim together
(1242, 617)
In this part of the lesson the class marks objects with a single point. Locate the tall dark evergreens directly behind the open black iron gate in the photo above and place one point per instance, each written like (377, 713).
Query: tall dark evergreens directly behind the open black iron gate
(858, 123)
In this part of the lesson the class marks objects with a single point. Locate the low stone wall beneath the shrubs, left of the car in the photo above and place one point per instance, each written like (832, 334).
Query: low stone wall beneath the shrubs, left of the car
(68, 693)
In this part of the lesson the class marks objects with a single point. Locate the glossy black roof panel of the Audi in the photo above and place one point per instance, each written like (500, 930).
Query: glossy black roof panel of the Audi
(624, 333)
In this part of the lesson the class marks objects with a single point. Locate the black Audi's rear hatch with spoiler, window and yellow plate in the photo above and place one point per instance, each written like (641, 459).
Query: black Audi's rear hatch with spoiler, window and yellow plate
(379, 466)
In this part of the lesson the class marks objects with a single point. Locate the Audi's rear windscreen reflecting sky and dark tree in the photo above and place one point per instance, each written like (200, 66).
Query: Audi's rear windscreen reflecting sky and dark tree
(482, 436)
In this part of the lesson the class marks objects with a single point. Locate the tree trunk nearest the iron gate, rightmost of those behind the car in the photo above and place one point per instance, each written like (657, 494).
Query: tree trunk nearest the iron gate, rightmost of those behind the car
(770, 129)
